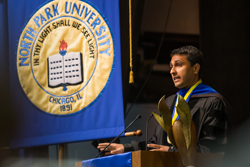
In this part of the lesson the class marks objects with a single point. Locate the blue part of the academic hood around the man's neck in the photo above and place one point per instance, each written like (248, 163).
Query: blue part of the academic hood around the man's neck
(200, 89)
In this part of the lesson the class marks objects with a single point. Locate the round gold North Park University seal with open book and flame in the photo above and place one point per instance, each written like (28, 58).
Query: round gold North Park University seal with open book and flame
(65, 56)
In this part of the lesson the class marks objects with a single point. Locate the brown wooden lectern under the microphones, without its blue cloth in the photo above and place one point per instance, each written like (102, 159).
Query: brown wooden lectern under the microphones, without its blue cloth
(170, 159)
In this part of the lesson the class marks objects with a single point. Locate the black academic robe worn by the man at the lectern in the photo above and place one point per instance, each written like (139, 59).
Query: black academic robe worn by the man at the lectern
(209, 113)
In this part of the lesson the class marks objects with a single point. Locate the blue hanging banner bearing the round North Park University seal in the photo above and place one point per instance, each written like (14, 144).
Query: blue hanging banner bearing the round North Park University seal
(65, 71)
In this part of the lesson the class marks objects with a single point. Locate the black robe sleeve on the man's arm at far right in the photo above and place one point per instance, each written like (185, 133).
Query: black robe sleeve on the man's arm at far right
(213, 127)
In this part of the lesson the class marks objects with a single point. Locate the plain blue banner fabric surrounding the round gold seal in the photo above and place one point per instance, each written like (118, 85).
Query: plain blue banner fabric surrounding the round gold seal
(104, 118)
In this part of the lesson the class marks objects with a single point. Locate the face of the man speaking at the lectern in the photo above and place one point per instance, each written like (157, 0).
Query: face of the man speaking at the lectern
(183, 75)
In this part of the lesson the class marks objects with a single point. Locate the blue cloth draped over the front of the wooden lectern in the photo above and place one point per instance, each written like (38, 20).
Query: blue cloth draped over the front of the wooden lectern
(120, 160)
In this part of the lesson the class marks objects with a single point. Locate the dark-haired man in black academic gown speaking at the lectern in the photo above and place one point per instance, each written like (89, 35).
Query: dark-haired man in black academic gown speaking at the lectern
(208, 108)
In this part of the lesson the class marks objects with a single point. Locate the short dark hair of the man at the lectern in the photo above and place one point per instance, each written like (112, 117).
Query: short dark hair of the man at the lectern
(194, 55)
